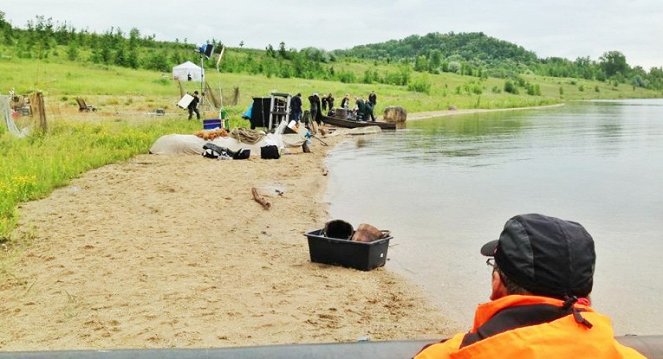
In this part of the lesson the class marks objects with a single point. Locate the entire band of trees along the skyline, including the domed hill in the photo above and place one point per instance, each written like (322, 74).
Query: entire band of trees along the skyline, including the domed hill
(468, 54)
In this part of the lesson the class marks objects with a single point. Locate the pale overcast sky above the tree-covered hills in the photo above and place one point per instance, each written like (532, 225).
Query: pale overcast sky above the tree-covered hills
(563, 28)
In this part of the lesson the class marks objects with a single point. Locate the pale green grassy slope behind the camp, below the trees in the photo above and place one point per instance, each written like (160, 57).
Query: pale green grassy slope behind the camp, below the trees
(121, 90)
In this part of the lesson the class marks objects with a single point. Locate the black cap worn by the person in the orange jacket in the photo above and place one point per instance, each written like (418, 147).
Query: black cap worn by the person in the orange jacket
(545, 255)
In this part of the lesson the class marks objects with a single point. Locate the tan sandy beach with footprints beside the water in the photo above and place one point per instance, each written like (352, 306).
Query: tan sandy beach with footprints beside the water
(173, 251)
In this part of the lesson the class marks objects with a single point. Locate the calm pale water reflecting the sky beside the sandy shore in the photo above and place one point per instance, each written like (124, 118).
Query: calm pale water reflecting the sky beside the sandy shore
(445, 186)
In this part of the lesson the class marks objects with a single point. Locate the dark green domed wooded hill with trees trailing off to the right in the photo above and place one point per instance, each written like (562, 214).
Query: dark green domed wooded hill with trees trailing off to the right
(479, 55)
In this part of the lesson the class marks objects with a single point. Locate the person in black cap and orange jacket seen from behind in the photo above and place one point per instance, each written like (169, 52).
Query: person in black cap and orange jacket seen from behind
(542, 275)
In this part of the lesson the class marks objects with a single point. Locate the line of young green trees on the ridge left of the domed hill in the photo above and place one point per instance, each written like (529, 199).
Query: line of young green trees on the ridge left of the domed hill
(44, 38)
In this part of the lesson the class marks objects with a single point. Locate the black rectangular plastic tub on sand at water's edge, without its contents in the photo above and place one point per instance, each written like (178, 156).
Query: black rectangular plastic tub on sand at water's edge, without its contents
(359, 255)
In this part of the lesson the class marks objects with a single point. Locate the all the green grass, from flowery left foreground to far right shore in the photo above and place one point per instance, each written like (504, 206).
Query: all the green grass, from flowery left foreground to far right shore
(32, 167)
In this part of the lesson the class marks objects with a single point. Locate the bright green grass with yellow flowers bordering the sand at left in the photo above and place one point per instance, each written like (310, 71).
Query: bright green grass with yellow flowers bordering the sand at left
(30, 168)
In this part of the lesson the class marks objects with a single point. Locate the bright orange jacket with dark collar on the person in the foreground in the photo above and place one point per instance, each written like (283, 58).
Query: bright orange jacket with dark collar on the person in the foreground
(564, 337)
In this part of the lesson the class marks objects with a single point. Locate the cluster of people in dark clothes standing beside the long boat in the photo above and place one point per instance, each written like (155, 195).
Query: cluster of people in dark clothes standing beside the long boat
(324, 105)
